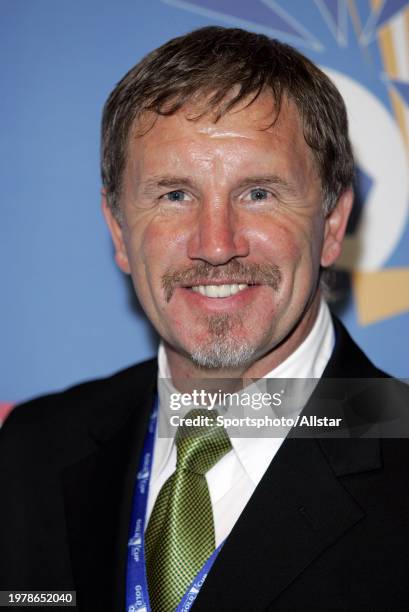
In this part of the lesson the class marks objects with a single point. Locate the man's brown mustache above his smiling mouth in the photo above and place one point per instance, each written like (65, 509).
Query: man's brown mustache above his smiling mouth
(234, 271)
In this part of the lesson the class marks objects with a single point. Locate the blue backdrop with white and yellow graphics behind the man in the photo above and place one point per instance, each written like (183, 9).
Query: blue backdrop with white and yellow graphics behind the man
(67, 314)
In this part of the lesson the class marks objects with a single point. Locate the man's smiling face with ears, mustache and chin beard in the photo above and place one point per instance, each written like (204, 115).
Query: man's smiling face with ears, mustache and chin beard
(223, 231)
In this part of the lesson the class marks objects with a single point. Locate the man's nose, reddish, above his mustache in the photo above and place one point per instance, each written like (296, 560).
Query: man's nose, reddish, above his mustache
(217, 237)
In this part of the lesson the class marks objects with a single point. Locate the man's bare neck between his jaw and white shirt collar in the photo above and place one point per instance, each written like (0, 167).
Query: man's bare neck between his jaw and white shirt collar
(186, 374)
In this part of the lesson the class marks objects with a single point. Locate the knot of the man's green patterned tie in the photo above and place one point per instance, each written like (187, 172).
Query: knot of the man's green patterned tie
(201, 445)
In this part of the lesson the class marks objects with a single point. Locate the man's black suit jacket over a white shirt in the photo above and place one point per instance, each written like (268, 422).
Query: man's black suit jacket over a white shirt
(326, 529)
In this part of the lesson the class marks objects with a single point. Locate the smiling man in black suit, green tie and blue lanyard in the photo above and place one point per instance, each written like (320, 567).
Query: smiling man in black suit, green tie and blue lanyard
(227, 176)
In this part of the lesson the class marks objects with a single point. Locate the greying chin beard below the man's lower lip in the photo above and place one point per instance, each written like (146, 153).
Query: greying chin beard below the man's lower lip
(223, 350)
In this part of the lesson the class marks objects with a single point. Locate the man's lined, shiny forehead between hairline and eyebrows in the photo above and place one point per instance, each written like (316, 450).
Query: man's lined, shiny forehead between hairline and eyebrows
(247, 133)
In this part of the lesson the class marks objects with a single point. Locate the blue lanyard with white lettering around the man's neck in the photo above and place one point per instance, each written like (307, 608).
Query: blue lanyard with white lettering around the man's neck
(137, 598)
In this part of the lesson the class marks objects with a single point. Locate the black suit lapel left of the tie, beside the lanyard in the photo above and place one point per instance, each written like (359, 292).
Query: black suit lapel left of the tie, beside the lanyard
(98, 490)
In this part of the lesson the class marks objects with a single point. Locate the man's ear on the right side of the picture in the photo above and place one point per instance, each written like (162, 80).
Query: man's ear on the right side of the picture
(335, 227)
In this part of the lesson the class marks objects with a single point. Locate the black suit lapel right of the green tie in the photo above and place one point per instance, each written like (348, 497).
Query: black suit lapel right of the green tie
(297, 511)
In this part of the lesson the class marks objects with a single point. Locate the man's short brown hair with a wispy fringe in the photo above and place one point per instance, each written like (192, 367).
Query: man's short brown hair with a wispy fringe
(214, 62)
